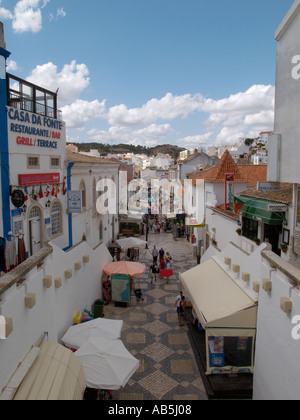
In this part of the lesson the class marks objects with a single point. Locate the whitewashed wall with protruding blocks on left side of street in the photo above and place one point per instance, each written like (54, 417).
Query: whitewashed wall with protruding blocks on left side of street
(55, 308)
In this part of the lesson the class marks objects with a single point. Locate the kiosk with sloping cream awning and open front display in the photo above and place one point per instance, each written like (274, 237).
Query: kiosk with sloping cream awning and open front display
(227, 314)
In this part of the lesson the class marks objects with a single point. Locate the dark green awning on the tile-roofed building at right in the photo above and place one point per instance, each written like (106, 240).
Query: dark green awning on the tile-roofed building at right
(259, 210)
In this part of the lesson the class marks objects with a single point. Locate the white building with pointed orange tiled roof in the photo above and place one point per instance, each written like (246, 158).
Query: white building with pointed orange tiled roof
(217, 203)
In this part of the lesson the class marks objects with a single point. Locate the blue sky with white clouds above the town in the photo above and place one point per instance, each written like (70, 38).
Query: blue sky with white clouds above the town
(192, 73)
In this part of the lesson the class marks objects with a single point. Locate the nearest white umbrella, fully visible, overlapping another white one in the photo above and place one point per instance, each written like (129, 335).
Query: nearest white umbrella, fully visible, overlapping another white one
(107, 364)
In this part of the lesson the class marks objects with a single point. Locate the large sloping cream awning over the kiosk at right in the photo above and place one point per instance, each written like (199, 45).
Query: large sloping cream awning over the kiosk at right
(217, 299)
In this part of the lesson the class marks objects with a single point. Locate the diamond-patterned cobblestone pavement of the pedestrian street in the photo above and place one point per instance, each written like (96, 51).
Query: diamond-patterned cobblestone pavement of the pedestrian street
(168, 370)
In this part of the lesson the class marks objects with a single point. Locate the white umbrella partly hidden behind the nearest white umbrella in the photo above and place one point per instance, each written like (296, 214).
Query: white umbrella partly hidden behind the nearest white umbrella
(99, 327)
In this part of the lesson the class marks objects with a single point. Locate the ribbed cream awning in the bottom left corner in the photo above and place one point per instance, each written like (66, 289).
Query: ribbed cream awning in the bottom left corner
(51, 372)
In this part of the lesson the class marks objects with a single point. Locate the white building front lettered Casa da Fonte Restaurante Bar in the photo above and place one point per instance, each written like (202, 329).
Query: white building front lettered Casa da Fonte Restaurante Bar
(36, 154)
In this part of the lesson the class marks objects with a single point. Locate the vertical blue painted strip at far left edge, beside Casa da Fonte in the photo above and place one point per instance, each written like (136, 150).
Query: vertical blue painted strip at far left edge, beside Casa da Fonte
(4, 160)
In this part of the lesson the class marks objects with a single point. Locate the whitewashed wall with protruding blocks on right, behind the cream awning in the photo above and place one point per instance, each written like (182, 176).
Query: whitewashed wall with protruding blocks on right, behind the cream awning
(277, 353)
